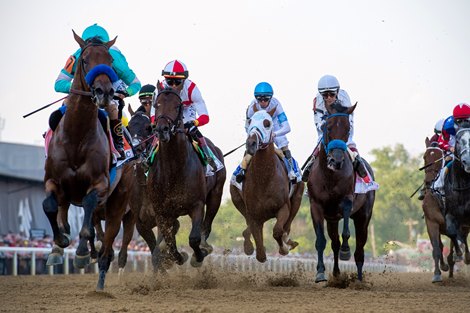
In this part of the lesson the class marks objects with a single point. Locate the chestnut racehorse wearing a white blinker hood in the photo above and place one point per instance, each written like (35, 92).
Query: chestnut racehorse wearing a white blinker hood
(265, 191)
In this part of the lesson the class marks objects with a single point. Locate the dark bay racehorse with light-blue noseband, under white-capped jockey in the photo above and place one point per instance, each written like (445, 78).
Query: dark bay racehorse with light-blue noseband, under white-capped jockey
(331, 186)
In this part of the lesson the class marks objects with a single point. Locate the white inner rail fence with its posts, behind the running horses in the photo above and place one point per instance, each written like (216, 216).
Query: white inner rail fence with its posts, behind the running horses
(32, 261)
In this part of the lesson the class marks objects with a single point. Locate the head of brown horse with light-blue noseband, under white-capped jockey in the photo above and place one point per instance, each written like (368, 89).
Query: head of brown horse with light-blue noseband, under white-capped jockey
(336, 133)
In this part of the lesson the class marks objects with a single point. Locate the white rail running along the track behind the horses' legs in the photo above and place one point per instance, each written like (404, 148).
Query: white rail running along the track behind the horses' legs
(141, 261)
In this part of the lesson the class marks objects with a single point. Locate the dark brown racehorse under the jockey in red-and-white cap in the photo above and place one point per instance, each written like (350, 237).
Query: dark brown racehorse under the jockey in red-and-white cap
(178, 186)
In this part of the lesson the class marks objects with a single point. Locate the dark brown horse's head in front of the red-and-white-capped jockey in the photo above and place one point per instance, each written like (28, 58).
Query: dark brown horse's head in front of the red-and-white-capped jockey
(168, 112)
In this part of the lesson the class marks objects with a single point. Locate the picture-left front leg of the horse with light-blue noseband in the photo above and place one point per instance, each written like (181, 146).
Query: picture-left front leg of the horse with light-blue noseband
(320, 243)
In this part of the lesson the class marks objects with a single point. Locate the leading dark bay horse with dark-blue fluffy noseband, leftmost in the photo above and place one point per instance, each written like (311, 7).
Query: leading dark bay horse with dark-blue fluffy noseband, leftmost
(78, 162)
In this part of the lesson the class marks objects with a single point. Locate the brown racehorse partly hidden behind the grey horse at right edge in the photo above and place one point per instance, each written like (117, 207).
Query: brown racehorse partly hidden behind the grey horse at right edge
(435, 223)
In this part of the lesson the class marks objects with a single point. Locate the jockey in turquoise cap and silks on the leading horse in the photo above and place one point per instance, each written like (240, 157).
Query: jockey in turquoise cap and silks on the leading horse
(127, 85)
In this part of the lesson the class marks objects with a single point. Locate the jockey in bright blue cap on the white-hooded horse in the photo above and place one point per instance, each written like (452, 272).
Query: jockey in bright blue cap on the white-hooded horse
(264, 100)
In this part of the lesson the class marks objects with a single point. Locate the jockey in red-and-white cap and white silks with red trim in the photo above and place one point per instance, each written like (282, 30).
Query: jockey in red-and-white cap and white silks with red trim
(195, 112)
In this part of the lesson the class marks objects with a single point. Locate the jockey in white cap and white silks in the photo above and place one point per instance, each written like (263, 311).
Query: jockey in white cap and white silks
(329, 92)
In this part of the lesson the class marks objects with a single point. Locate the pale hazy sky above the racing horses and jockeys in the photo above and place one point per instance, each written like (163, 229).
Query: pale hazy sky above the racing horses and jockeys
(405, 62)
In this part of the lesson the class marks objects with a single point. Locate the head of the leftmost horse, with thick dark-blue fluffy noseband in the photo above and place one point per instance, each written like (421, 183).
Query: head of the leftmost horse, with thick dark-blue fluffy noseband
(94, 70)
